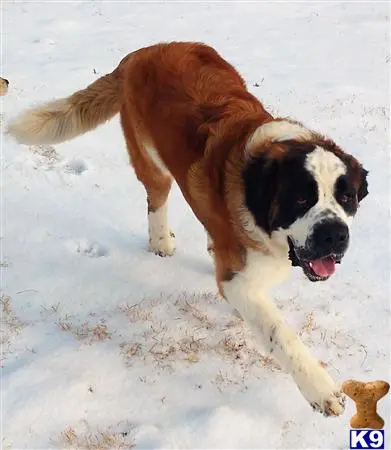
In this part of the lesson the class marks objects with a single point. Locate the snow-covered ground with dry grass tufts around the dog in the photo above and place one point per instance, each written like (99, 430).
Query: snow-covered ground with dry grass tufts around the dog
(108, 346)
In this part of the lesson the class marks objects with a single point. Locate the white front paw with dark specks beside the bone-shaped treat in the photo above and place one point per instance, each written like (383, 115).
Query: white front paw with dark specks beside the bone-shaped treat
(319, 389)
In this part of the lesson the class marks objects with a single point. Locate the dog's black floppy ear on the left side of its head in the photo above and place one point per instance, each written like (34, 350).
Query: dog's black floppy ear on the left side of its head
(260, 185)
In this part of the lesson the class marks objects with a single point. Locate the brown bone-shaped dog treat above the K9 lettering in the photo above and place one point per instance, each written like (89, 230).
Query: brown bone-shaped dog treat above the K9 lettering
(366, 396)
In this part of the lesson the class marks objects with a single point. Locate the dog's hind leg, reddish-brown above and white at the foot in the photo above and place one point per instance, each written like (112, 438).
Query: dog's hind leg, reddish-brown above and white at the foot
(157, 182)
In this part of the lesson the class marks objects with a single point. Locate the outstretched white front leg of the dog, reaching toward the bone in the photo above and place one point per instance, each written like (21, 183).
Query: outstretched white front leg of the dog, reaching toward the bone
(245, 294)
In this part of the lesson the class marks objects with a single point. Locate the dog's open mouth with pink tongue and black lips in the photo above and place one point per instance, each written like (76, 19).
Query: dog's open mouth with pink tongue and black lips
(317, 269)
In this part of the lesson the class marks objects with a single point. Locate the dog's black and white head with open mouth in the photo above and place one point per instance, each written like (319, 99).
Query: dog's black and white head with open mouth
(303, 187)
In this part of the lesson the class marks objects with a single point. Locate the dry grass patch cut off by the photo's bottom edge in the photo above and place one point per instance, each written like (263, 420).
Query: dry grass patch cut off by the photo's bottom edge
(106, 439)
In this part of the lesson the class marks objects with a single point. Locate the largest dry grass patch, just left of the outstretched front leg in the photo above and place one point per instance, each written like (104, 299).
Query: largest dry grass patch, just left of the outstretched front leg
(189, 334)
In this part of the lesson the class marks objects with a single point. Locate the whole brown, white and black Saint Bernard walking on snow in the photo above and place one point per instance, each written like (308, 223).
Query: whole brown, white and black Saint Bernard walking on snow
(270, 193)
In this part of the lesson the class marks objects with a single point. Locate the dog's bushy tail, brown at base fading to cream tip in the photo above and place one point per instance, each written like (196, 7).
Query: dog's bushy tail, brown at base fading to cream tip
(66, 118)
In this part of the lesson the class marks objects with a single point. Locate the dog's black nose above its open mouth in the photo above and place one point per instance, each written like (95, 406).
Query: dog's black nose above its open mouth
(331, 236)
